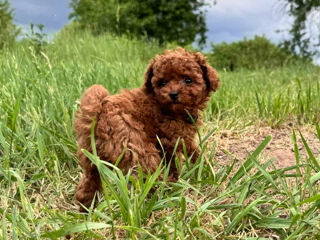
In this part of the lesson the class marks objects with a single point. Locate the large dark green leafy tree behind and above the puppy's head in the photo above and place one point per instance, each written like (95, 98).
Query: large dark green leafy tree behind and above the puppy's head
(180, 21)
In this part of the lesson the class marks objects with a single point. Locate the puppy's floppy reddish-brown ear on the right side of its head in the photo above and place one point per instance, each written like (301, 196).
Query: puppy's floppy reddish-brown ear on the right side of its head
(209, 74)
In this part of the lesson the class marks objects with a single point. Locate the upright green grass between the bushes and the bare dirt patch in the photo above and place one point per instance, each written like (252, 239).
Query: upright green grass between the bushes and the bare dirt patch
(269, 96)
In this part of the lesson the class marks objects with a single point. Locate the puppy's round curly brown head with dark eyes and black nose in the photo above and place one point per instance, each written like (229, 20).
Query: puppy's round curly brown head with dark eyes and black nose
(180, 80)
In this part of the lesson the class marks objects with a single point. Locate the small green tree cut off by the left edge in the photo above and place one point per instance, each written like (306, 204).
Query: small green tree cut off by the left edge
(8, 30)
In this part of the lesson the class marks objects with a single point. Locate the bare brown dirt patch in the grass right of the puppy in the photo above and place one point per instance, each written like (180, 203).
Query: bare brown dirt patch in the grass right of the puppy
(237, 144)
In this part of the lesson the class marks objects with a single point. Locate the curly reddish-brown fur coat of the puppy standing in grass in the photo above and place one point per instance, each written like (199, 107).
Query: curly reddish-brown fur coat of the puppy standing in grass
(133, 118)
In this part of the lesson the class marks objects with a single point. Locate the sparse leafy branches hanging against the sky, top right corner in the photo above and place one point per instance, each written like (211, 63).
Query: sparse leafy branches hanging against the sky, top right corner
(300, 10)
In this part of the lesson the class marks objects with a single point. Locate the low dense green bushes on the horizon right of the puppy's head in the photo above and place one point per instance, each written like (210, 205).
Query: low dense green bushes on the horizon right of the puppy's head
(254, 53)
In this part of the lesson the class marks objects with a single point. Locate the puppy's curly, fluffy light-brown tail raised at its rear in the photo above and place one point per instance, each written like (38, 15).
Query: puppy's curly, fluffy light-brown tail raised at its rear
(90, 107)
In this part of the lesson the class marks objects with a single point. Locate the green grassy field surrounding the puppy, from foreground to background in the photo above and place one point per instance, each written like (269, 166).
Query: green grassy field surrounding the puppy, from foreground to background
(245, 198)
